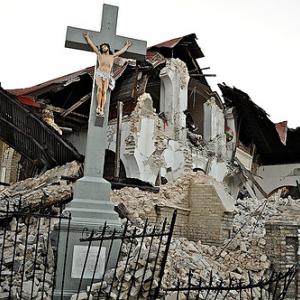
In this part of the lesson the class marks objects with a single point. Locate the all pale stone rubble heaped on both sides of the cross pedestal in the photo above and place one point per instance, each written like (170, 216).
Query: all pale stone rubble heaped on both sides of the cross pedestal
(244, 251)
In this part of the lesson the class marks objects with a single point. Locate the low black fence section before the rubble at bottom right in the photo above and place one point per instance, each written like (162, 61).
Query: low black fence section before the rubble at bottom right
(274, 287)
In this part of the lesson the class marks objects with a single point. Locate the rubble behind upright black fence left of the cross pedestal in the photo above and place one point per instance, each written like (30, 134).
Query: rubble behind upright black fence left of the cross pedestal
(27, 270)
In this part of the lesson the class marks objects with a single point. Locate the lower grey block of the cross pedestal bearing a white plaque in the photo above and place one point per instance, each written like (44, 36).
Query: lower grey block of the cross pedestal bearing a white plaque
(68, 280)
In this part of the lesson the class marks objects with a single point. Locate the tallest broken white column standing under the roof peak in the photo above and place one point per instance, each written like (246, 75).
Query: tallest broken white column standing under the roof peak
(173, 103)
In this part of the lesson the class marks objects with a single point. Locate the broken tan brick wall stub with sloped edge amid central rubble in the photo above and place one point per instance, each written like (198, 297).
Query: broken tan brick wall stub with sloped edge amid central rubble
(203, 215)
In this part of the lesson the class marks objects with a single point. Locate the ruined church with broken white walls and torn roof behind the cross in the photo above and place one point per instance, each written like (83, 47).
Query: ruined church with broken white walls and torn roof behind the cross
(172, 119)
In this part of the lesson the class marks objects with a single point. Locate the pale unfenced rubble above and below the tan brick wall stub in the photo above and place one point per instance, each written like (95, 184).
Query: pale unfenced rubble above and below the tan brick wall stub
(244, 252)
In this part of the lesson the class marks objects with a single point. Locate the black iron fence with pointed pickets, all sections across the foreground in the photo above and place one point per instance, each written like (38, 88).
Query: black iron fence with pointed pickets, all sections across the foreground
(28, 262)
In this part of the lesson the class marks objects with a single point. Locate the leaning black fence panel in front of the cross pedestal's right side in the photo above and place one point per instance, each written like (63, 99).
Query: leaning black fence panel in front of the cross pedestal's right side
(140, 262)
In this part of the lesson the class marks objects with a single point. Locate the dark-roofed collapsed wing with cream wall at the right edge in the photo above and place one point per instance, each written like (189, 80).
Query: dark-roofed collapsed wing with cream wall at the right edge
(270, 151)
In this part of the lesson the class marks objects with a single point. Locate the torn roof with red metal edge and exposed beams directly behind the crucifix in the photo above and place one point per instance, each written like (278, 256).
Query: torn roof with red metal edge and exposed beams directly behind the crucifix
(69, 95)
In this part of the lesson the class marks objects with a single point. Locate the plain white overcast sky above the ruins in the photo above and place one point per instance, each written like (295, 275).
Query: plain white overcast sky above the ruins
(253, 45)
